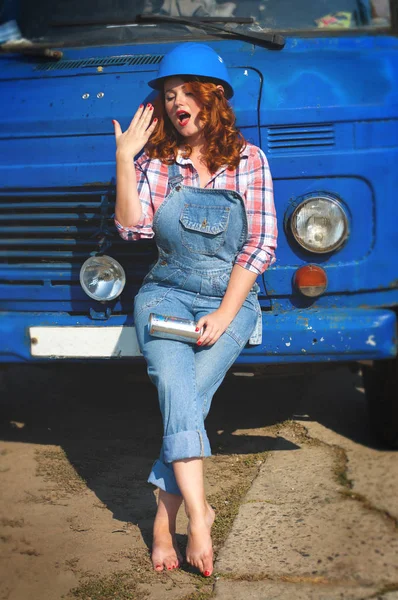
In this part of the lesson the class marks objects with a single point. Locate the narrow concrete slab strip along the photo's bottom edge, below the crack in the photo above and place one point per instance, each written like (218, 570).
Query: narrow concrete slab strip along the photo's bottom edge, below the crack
(264, 590)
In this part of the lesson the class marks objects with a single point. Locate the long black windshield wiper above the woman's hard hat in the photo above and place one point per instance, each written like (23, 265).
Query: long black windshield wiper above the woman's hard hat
(260, 38)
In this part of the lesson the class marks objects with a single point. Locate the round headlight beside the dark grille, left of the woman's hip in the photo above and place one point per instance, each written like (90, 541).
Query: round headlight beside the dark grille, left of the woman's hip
(102, 278)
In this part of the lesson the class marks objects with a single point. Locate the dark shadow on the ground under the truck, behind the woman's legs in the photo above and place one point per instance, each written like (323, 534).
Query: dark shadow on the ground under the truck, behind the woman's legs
(106, 420)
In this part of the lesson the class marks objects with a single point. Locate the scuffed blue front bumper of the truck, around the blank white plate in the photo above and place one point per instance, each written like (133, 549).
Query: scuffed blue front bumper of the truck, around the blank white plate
(298, 336)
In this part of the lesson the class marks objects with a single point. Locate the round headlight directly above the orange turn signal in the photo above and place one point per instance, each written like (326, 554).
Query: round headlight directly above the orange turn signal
(319, 224)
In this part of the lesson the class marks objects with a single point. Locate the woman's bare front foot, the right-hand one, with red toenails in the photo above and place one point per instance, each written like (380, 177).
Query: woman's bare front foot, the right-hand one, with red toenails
(200, 548)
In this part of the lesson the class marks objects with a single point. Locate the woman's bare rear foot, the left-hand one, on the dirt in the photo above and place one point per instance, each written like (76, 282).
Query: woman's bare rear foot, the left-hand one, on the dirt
(165, 552)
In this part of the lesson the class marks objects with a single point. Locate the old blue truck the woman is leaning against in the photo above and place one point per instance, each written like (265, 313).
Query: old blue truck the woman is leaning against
(316, 86)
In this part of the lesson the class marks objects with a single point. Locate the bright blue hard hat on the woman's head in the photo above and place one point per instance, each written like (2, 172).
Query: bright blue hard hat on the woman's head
(194, 59)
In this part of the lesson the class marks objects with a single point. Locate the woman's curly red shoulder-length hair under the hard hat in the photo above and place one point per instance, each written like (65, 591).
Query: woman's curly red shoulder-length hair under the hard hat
(224, 142)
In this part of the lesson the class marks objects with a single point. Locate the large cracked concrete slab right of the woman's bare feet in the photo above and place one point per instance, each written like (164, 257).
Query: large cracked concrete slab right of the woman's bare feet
(293, 523)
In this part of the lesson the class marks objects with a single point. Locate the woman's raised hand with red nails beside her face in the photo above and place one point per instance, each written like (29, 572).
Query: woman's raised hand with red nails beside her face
(130, 142)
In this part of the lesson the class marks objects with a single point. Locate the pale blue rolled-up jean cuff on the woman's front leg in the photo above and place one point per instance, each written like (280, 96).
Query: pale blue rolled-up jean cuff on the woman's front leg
(186, 444)
